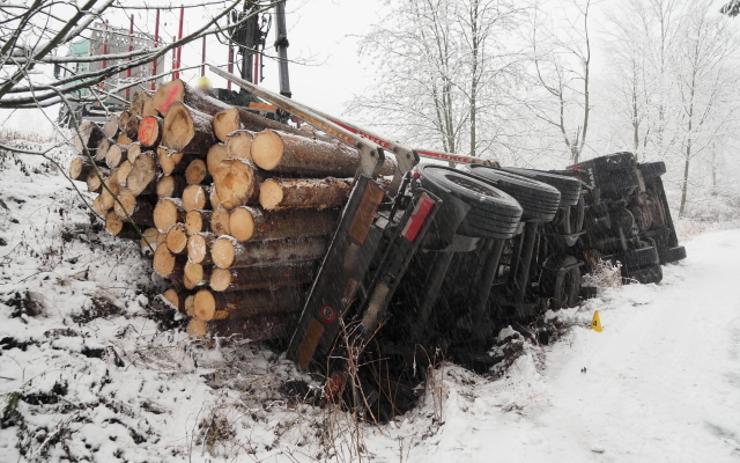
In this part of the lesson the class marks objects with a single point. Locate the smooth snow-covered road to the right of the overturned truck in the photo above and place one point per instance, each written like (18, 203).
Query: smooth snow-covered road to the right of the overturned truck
(661, 382)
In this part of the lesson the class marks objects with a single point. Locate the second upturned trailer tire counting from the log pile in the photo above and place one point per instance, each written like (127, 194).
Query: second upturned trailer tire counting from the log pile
(539, 200)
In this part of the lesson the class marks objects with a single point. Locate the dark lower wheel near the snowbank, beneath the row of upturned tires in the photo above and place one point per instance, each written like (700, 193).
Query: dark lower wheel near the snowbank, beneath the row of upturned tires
(561, 282)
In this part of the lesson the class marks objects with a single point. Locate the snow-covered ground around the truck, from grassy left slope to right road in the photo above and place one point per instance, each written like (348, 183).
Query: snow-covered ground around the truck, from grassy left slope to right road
(93, 368)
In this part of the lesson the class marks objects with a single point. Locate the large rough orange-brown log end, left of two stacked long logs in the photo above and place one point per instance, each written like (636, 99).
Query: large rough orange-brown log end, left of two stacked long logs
(235, 183)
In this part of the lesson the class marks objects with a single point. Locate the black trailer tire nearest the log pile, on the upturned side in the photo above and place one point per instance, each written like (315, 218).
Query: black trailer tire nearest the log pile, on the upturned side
(493, 213)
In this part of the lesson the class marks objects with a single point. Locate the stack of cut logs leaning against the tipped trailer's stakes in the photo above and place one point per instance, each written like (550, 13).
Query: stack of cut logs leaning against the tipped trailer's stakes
(236, 208)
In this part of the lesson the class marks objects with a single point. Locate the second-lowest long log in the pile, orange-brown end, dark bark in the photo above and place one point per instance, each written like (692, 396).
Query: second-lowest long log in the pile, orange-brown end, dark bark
(208, 305)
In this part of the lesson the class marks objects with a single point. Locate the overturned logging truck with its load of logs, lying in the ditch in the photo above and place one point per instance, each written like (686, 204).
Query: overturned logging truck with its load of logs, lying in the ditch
(366, 279)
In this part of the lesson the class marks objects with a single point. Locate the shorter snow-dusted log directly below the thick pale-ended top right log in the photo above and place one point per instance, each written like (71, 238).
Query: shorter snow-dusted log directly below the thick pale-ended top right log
(286, 193)
